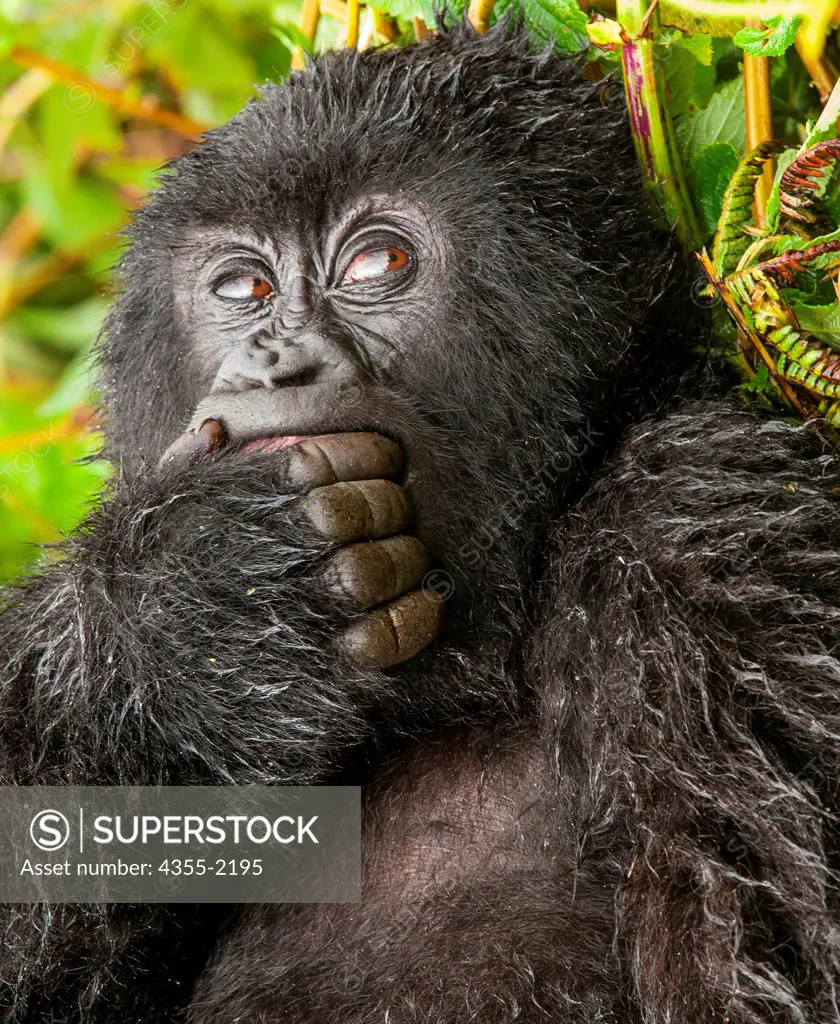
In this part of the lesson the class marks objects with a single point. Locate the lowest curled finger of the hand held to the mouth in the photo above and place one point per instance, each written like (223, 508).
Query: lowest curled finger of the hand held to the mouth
(396, 632)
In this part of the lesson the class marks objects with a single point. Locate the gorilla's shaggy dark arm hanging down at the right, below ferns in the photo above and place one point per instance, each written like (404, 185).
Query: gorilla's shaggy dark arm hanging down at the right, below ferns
(698, 608)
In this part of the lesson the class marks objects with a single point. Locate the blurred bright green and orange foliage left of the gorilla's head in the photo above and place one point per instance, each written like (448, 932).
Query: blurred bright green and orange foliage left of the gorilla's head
(94, 99)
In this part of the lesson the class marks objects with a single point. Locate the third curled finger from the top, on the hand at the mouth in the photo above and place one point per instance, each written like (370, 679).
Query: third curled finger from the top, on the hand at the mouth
(375, 572)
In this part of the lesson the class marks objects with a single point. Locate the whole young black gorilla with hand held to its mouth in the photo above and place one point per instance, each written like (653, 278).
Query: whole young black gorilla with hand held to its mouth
(394, 303)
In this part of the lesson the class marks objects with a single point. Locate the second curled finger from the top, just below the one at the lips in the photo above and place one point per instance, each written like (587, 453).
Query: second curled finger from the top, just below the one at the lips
(354, 511)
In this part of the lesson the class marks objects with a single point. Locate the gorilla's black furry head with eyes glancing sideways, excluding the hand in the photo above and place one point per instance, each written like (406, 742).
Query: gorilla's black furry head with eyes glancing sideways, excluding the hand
(447, 244)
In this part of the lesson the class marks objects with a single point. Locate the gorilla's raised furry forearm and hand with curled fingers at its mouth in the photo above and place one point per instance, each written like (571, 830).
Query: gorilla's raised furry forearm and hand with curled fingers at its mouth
(243, 607)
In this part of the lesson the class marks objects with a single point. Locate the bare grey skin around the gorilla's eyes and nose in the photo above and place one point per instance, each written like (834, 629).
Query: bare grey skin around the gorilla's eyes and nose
(354, 301)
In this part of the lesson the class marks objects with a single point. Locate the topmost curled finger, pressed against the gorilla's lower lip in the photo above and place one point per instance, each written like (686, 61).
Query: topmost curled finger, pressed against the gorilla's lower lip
(320, 461)
